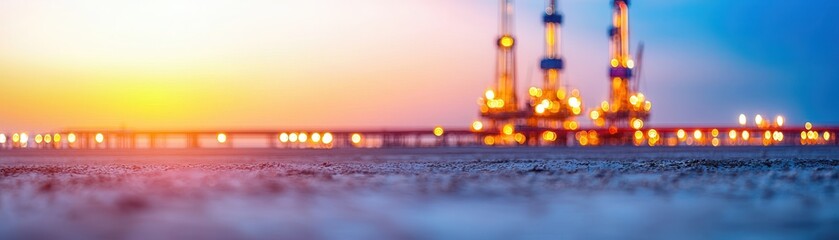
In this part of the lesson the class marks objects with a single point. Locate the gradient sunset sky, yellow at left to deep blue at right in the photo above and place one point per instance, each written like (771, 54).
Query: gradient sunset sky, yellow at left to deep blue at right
(184, 64)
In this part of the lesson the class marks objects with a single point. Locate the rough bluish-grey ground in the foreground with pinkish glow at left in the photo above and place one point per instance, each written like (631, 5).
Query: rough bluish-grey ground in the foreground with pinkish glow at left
(443, 193)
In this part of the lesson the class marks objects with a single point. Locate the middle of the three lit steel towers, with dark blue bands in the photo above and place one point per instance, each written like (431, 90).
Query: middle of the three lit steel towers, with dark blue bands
(551, 105)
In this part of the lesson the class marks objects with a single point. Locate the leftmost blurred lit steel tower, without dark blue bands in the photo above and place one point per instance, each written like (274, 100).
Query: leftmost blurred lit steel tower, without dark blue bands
(499, 105)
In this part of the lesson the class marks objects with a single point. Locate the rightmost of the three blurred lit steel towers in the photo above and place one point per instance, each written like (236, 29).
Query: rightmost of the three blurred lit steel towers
(626, 106)
